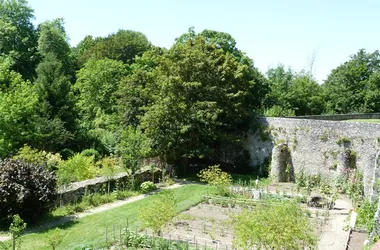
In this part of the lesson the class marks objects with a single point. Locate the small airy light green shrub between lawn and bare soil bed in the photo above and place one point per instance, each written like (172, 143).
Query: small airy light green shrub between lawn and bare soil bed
(160, 212)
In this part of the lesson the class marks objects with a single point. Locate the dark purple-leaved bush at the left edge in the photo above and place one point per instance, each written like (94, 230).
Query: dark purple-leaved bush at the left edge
(25, 189)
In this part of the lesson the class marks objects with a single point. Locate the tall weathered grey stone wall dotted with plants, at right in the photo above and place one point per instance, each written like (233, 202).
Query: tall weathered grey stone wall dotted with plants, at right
(319, 146)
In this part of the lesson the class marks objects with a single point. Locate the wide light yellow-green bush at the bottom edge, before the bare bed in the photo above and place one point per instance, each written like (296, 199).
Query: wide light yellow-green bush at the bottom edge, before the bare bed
(284, 225)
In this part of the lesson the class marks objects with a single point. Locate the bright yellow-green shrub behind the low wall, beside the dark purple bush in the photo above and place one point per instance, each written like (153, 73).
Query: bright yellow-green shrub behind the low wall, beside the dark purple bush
(76, 168)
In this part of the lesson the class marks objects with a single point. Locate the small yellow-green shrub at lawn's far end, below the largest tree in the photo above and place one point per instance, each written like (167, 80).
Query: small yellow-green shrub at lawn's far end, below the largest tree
(214, 176)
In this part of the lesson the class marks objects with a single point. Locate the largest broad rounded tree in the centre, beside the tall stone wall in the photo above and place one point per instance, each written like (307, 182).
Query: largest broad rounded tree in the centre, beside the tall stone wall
(202, 97)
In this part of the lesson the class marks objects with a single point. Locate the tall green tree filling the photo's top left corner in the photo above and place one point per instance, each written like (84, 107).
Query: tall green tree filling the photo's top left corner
(18, 37)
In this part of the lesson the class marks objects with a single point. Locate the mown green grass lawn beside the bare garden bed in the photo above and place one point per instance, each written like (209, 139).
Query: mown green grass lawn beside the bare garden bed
(90, 230)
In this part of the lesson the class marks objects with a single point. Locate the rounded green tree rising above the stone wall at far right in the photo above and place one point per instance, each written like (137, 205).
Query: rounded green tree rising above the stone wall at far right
(348, 87)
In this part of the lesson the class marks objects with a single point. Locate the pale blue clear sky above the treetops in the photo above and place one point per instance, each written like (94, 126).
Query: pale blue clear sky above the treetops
(271, 32)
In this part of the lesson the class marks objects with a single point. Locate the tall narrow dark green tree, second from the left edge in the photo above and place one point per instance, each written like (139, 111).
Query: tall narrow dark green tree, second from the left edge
(53, 85)
